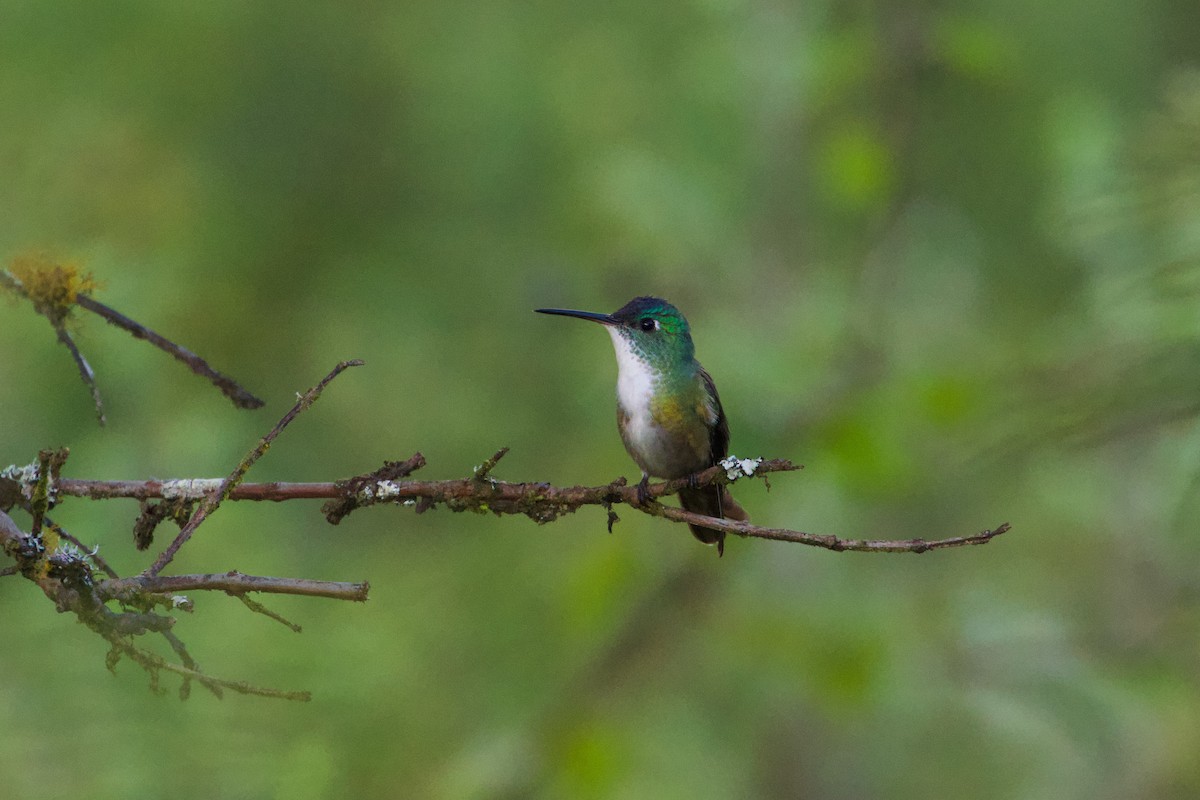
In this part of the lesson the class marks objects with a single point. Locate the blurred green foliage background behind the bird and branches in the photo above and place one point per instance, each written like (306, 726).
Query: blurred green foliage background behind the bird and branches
(945, 256)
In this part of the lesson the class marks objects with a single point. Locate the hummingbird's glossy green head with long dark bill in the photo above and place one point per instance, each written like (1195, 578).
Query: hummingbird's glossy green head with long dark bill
(652, 329)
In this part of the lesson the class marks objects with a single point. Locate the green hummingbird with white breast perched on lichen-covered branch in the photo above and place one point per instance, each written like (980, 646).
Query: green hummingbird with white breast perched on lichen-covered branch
(668, 410)
